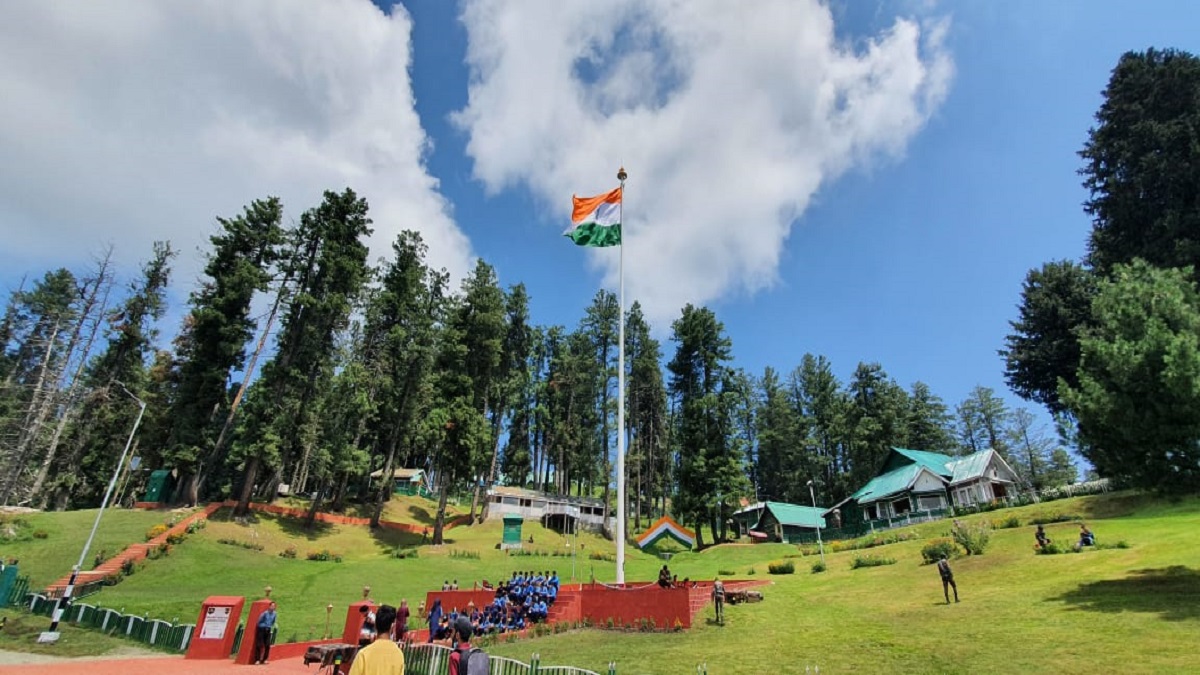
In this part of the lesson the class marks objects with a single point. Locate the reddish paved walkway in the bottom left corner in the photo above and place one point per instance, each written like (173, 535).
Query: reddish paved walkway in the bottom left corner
(165, 665)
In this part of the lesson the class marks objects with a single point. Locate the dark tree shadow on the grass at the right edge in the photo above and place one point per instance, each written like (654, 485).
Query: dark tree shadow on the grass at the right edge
(1173, 593)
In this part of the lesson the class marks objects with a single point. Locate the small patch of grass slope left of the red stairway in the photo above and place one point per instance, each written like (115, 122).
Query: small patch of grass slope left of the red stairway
(47, 560)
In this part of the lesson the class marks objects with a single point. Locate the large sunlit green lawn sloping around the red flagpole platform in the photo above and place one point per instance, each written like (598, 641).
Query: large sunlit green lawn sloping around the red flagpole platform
(1135, 610)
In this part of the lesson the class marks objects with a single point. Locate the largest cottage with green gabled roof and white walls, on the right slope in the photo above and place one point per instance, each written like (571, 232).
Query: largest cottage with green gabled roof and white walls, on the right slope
(916, 481)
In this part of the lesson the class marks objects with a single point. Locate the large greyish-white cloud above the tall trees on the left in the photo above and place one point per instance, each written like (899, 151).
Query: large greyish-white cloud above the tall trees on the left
(129, 122)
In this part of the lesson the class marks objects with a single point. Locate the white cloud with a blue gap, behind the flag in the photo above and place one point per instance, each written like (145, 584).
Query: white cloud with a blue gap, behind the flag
(729, 117)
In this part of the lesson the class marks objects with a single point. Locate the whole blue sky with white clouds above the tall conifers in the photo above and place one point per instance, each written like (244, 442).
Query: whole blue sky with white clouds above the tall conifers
(908, 249)
